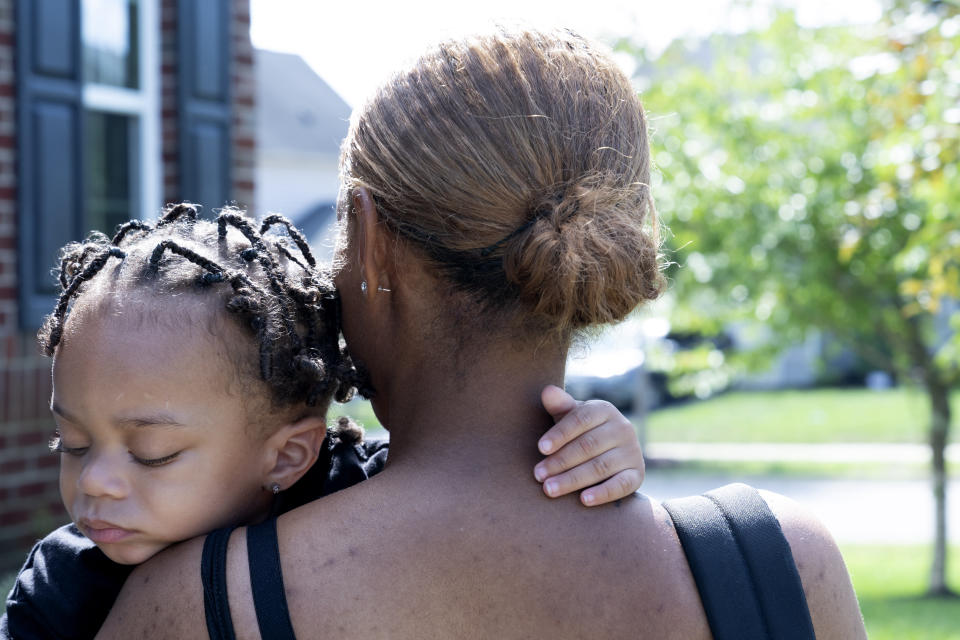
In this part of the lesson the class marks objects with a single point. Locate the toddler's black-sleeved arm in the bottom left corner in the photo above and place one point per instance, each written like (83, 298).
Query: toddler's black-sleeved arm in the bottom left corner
(64, 590)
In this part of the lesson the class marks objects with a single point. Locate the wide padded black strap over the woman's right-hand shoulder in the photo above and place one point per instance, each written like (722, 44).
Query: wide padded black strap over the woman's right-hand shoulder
(742, 564)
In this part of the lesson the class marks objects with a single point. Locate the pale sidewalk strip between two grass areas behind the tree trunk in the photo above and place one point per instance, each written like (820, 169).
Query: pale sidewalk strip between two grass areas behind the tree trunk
(767, 452)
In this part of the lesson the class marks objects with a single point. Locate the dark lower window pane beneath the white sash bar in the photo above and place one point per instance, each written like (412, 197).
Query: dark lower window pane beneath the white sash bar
(111, 170)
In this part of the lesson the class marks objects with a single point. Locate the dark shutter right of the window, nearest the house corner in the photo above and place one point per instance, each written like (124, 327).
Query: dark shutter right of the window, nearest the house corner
(204, 30)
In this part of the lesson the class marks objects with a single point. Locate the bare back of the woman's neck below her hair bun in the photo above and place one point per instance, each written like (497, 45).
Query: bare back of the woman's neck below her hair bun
(477, 413)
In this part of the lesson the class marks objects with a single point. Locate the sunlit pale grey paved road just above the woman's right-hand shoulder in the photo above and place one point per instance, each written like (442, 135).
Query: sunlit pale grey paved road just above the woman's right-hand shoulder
(856, 511)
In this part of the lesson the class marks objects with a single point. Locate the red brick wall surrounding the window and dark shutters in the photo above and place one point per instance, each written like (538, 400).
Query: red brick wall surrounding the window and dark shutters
(29, 497)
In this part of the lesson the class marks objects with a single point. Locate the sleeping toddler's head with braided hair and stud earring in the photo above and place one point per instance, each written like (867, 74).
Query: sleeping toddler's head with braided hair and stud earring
(193, 365)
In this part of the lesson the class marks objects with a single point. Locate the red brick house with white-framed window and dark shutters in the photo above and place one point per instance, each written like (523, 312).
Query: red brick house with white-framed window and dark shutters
(108, 109)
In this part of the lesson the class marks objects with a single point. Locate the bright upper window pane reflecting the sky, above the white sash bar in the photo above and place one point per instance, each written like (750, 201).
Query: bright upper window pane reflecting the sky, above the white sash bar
(110, 42)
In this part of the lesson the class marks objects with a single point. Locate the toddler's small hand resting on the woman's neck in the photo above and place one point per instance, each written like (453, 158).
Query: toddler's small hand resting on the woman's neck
(592, 443)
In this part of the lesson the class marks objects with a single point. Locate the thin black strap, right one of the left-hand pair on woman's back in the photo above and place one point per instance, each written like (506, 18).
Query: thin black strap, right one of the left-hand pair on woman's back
(266, 580)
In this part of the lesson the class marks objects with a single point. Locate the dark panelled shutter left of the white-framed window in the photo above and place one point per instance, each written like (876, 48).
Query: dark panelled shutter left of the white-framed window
(49, 145)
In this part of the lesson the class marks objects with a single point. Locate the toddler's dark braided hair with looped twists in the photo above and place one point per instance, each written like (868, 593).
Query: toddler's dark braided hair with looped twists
(270, 282)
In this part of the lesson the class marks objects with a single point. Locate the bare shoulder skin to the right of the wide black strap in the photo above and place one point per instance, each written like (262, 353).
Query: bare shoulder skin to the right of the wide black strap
(826, 583)
